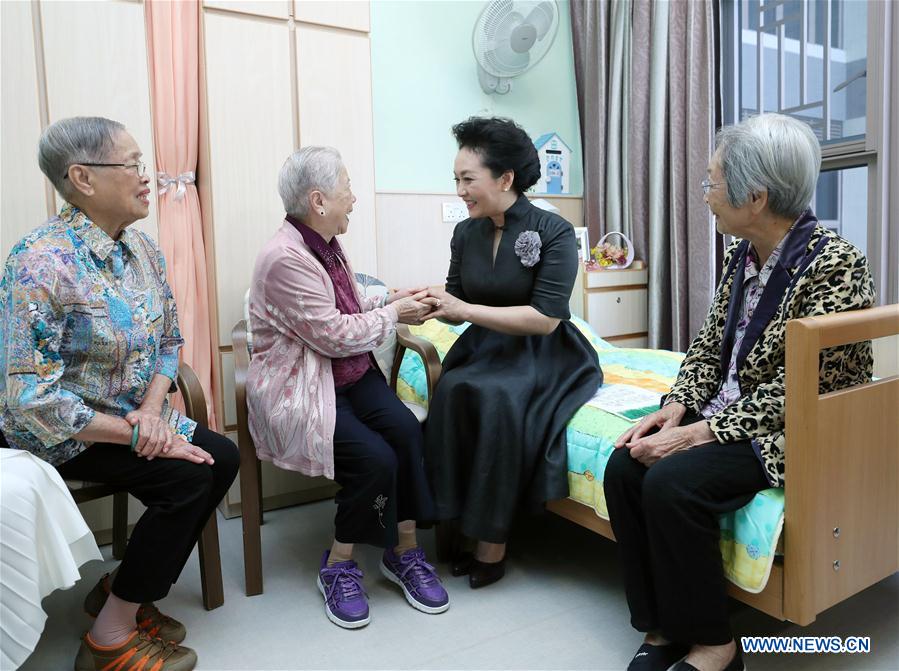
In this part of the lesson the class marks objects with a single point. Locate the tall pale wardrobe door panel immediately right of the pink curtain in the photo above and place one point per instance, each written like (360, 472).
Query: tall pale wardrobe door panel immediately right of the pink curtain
(250, 134)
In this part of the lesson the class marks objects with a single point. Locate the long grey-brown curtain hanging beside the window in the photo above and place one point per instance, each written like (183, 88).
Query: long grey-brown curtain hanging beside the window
(646, 78)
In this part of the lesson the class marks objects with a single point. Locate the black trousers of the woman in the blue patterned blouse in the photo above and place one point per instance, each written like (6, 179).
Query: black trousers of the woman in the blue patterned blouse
(179, 495)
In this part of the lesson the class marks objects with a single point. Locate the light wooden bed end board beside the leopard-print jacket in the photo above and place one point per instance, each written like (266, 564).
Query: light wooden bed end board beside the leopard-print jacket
(841, 528)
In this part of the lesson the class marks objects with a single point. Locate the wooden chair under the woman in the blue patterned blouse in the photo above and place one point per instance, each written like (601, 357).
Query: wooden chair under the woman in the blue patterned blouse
(210, 559)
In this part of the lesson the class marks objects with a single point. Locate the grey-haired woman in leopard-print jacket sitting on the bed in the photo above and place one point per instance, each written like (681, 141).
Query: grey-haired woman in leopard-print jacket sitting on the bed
(719, 436)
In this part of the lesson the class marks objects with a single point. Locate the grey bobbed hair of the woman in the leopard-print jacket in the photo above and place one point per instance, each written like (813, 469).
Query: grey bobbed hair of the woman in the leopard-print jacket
(773, 153)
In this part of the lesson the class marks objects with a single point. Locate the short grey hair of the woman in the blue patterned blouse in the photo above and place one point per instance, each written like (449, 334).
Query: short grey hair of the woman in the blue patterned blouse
(79, 139)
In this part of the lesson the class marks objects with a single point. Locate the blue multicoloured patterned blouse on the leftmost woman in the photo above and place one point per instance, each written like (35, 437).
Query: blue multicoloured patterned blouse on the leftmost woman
(87, 322)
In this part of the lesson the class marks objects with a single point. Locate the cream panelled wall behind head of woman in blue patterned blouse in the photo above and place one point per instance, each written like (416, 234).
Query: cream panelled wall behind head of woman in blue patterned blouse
(42, 82)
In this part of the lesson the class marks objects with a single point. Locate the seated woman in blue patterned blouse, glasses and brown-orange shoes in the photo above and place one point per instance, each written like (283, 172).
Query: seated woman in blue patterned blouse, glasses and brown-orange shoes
(88, 352)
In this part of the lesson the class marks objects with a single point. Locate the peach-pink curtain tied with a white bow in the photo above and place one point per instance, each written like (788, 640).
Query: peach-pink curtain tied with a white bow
(173, 34)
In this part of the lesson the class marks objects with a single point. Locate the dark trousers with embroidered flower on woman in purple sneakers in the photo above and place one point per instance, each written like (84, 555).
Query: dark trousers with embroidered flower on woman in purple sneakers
(377, 463)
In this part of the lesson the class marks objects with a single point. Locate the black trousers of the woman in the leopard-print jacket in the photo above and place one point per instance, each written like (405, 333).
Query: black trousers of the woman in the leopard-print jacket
(665, 519)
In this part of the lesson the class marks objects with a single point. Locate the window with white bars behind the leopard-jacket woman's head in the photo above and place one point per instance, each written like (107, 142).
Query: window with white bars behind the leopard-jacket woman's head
(809, 59)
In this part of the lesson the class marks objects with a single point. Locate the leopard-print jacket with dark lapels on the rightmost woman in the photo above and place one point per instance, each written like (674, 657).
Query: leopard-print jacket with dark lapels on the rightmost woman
(819, 273)
